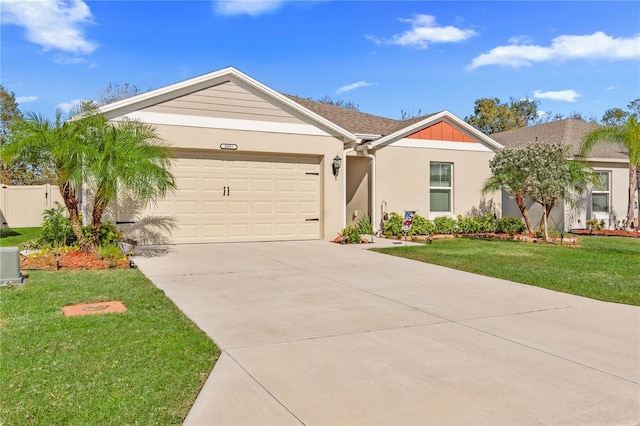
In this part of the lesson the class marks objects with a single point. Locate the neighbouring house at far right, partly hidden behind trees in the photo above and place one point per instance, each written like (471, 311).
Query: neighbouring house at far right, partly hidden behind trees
(605, 202)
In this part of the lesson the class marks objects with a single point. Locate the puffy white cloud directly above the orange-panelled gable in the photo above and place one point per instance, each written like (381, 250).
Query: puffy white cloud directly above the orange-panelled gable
(425, 31)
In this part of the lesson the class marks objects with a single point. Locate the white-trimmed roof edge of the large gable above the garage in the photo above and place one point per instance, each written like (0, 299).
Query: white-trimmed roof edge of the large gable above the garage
(144, 100)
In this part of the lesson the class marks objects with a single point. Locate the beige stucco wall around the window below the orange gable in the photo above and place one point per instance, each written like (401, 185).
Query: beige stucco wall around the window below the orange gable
(402, 178)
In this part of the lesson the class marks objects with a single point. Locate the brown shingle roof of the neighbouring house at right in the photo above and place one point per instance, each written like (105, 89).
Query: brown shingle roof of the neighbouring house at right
(568, 132)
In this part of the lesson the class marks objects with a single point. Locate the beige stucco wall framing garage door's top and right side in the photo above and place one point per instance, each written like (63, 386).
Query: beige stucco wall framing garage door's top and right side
(265, 143)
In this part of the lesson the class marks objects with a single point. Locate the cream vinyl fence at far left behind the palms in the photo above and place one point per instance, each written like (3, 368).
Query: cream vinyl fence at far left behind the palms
(21, 206)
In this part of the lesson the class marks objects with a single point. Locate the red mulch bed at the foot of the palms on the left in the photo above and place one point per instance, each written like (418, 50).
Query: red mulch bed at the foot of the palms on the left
(73, 260)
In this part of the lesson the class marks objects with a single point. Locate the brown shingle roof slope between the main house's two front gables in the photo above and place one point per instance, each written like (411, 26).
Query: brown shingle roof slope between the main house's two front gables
(355, 121)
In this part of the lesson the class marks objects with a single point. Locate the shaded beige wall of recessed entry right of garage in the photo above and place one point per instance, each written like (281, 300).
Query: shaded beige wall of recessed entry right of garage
(357, 188)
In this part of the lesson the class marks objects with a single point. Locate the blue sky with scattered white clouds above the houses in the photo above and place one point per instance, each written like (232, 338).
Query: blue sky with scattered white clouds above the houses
(386, 56)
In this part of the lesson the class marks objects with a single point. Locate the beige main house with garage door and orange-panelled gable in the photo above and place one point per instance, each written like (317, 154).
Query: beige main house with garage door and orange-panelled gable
(252, 164)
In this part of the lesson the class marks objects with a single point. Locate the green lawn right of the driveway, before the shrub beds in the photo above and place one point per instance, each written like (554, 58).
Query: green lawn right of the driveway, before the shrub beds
(603, 268)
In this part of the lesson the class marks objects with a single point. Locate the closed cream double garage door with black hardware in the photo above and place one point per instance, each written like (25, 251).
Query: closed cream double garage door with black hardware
(235, 198)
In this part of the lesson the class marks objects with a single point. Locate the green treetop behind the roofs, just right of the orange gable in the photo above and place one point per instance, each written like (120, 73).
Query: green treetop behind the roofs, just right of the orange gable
(490, 115)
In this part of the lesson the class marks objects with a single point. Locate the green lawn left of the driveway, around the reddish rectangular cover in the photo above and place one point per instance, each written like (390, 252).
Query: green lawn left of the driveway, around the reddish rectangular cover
(144, 366)
